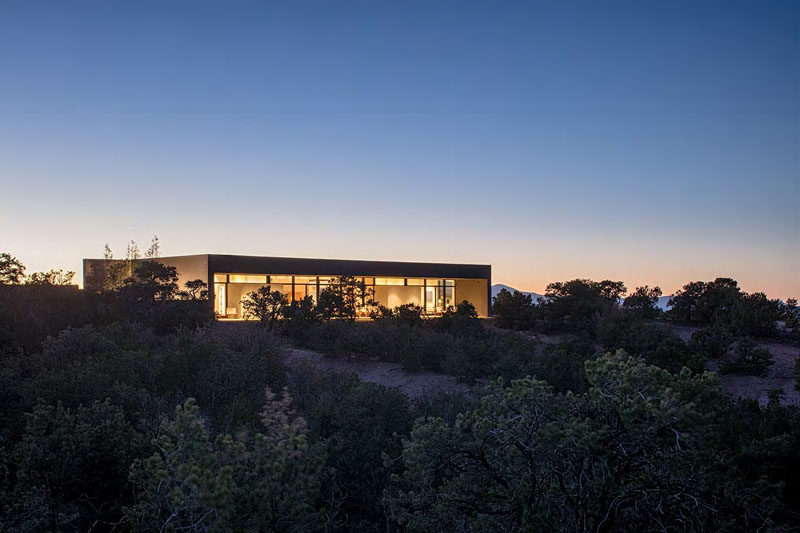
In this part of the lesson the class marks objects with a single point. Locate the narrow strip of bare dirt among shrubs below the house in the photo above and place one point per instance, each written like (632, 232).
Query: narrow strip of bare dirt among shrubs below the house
(414, 385)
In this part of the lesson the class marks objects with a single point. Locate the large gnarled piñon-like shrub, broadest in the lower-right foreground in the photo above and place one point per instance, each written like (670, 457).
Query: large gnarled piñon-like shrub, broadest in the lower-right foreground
(637, 451)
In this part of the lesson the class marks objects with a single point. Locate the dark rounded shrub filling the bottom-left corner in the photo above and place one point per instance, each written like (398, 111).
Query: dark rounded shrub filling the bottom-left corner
(70, 468)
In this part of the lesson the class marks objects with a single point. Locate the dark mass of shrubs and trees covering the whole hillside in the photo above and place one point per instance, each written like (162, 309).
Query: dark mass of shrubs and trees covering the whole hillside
(119, 416)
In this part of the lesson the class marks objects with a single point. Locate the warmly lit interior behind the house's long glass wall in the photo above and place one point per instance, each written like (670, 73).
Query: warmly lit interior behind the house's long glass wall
(433, 295)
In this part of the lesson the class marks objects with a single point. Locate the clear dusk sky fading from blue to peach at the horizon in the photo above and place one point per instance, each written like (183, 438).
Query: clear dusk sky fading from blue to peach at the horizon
(652, 142)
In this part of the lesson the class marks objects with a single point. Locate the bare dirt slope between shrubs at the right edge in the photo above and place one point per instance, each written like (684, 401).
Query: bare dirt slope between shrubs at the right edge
(780, 375)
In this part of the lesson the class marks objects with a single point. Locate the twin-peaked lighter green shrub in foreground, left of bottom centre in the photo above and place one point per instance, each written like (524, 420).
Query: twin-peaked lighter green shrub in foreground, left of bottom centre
(265, 482)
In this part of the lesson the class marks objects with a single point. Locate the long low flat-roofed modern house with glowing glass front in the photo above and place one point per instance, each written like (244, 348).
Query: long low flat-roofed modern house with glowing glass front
(432, 286)
